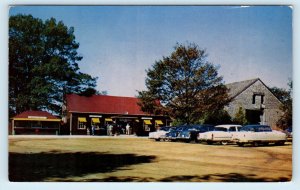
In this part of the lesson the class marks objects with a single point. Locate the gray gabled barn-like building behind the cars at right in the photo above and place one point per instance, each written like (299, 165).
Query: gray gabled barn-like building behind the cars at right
(258, 102)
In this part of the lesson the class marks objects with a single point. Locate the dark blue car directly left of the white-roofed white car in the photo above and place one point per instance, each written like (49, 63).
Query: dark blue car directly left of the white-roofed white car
(191, 132)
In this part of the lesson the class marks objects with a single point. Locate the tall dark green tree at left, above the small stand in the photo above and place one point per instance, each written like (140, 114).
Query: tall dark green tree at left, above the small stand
(43, 64)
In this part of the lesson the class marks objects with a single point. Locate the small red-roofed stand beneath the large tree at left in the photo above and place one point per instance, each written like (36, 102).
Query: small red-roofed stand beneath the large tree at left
(35, 122)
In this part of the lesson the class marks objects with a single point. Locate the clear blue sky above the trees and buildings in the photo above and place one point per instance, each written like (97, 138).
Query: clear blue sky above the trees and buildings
(118, 43)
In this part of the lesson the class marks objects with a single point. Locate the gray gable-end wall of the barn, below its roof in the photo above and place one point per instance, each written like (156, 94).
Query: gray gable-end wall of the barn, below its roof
(270, 106)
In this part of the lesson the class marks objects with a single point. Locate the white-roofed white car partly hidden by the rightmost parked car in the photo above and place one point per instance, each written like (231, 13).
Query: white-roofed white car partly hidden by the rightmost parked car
(221, 134)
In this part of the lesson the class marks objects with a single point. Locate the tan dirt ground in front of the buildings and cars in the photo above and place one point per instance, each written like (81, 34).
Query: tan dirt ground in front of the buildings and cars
(140, 159)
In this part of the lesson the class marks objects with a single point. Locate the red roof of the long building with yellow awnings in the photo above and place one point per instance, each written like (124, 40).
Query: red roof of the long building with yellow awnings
(104, 104)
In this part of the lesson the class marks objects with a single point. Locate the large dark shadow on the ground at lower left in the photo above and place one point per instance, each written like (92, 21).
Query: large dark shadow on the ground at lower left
(39, 166)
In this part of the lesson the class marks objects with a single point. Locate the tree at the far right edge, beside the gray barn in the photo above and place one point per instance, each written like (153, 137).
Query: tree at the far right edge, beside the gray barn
(285, 96)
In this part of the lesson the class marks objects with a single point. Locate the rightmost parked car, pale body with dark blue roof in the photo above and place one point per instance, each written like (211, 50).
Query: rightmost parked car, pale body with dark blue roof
(259, 134)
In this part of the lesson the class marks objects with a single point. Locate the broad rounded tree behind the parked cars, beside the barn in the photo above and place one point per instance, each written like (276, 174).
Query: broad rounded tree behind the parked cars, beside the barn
(186, 85)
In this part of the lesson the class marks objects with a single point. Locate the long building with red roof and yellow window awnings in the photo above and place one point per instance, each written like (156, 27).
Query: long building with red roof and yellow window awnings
(101, 111)
